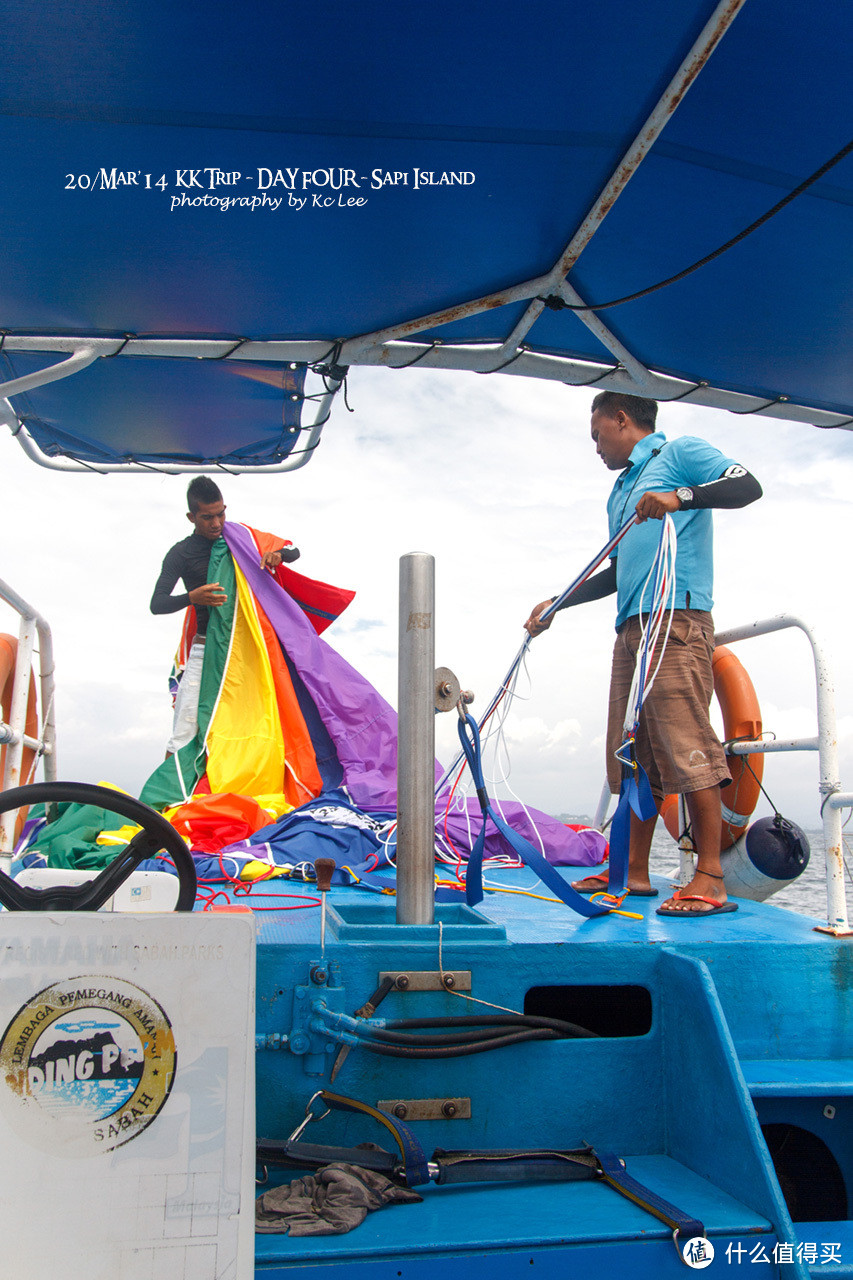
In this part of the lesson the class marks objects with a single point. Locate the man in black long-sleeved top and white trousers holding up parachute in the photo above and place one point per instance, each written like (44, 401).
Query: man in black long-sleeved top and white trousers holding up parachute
(188, 561)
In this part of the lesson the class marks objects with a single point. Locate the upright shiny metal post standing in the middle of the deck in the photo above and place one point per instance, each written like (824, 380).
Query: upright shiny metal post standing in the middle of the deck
(417, 742)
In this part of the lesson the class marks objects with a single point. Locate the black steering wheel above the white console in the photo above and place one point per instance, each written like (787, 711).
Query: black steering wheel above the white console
(157, 834)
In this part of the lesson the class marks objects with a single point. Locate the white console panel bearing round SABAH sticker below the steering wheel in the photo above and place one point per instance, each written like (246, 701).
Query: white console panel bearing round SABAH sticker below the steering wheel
(127, 1092)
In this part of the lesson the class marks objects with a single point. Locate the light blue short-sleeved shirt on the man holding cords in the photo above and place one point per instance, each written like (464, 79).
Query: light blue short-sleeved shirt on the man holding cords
(659, 465)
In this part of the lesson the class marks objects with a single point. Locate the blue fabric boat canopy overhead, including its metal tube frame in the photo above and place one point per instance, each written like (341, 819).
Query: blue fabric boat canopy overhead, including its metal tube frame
(212, 212)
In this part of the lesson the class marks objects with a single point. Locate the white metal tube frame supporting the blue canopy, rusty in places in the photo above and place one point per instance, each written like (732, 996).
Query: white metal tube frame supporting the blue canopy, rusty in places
(396, 348)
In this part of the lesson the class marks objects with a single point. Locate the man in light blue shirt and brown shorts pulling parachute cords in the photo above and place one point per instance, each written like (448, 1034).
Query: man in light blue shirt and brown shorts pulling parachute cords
(676, 743)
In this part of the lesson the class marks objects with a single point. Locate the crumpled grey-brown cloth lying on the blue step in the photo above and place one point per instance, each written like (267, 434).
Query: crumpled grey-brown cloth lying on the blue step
(330, 1203)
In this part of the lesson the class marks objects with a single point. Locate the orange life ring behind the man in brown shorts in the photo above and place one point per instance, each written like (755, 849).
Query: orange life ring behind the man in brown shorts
(741, 720)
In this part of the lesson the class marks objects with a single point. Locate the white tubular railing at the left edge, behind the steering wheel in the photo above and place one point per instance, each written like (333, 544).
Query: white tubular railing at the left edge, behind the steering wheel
(13, 735)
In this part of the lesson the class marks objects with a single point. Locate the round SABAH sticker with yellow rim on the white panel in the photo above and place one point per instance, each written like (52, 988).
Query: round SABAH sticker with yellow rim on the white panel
(86, 1066)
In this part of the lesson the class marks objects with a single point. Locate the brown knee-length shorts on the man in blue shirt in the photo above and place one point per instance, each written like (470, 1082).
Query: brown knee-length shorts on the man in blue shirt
(676, 743)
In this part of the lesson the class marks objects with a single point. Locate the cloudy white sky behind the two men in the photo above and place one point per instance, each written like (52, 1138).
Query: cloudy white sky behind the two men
(498, 479)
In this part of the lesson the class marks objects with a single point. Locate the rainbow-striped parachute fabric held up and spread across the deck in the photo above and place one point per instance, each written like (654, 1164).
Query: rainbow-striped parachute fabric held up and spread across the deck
(284, 719)
